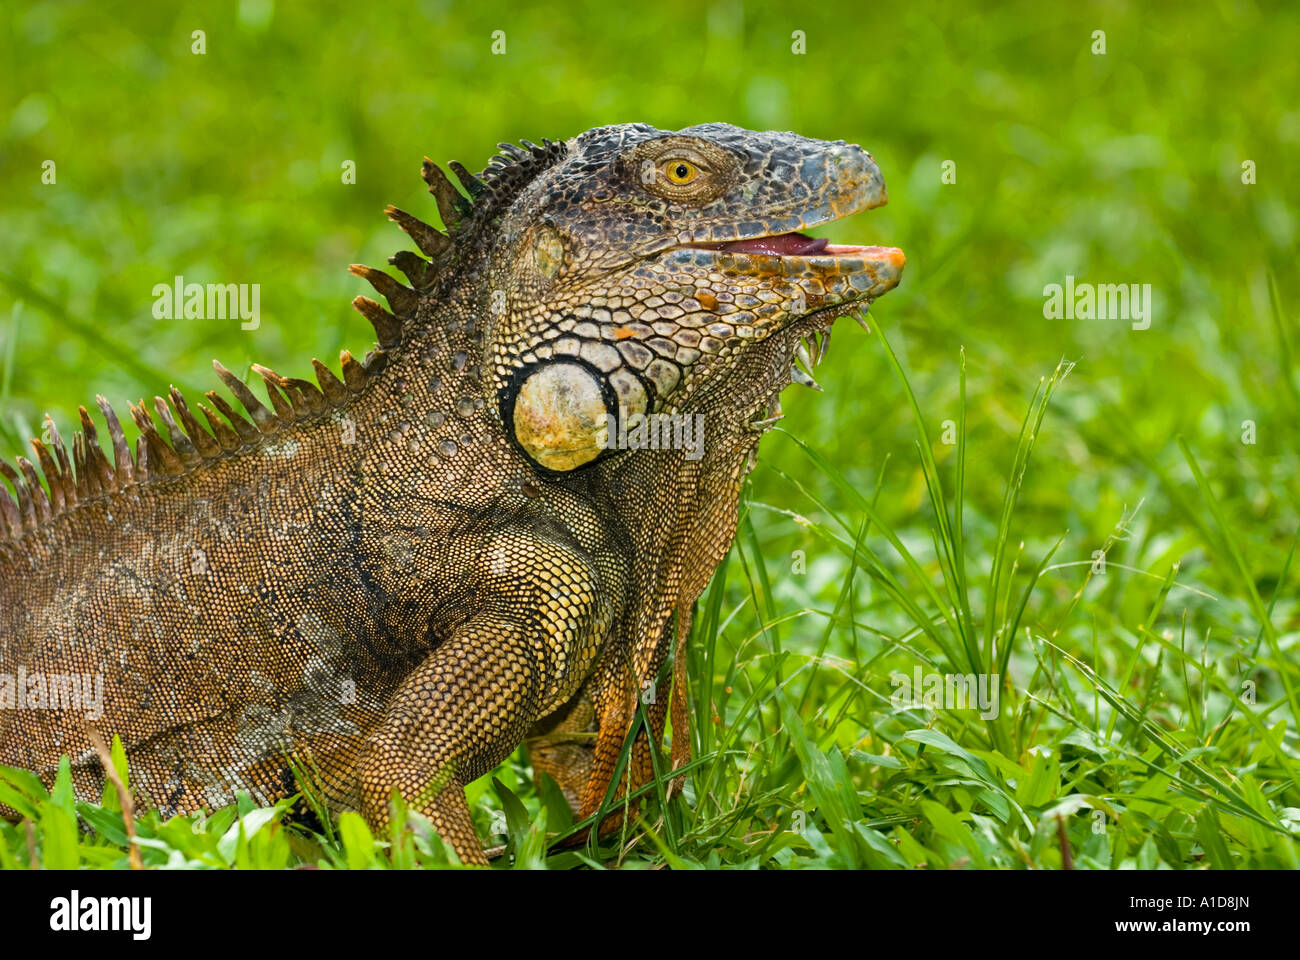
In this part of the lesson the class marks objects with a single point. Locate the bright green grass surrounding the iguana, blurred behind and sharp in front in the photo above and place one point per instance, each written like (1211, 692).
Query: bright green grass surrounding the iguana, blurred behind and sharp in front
(1147, 708)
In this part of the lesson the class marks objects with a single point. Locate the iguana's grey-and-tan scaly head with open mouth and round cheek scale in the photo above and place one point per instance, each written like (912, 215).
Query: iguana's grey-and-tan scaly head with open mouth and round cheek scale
(658, 273)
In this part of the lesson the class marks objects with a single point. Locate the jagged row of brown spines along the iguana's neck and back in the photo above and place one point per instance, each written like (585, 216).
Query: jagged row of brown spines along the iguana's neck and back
(187, 444)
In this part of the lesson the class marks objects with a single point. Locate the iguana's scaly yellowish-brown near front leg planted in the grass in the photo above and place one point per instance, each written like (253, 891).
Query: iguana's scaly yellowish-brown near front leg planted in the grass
(470, 704)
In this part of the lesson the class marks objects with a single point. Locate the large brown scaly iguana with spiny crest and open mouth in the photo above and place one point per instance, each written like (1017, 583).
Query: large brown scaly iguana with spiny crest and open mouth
(470, 538)
